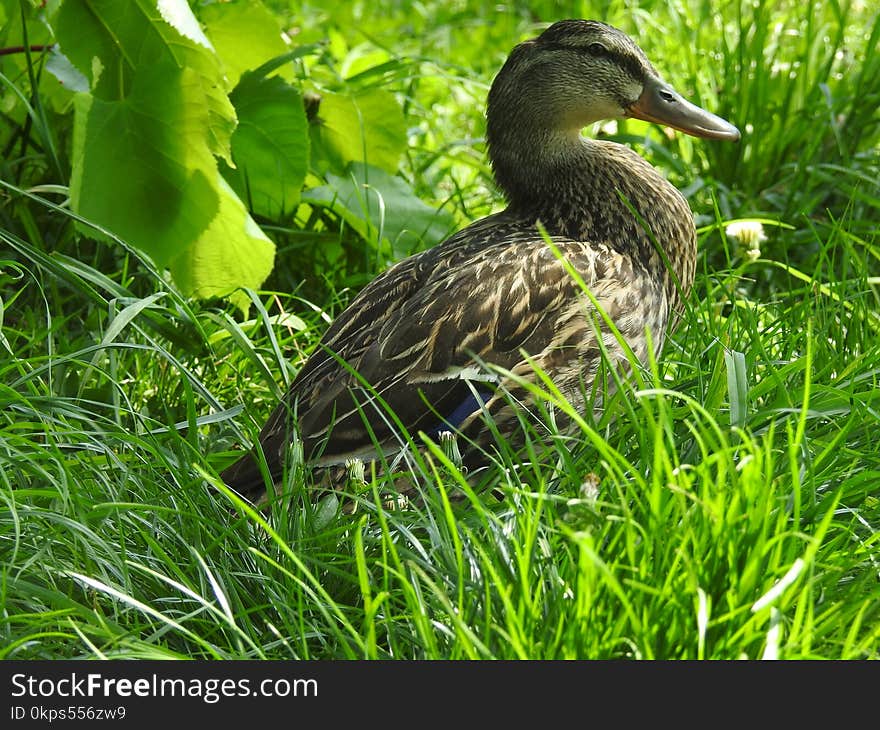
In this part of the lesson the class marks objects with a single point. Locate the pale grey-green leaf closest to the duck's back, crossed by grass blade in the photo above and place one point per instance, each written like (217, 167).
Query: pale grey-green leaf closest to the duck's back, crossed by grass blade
(380, 206)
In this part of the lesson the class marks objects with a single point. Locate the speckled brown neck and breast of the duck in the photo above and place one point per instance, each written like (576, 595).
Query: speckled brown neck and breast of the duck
(594, 191)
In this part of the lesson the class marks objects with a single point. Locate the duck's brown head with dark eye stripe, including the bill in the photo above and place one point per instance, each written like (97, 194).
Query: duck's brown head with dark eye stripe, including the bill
(578, 72)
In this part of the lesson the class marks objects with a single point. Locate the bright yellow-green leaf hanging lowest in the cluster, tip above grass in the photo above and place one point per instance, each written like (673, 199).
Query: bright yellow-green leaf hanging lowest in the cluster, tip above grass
(232, 252)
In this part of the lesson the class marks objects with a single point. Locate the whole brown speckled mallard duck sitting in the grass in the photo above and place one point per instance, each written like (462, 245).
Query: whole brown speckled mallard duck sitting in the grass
(444, 337)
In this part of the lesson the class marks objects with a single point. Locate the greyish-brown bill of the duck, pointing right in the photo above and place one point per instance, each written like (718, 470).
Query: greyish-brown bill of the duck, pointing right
(660, 103)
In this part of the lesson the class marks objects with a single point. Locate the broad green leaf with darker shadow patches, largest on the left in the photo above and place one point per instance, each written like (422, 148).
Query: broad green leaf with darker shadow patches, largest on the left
(141, 167)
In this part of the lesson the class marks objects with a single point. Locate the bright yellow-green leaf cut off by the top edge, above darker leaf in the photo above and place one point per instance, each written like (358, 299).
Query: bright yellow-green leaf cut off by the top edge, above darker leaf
(245, 36)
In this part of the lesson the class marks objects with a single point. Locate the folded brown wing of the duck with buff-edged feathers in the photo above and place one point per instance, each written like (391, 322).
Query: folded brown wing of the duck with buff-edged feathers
(413, 341)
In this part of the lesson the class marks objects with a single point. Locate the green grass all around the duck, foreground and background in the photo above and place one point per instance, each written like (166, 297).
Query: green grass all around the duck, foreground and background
(731, 508)
